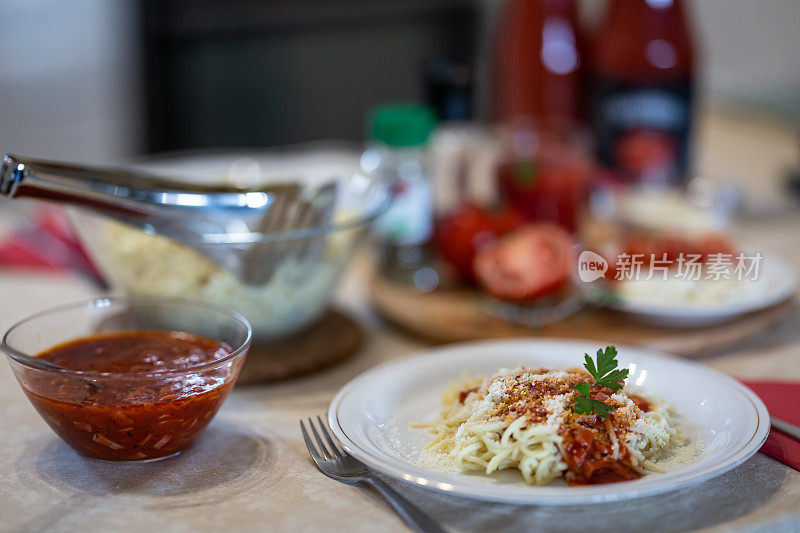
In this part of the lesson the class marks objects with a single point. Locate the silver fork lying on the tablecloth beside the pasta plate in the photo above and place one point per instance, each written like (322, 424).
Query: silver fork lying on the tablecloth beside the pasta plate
(337, 464)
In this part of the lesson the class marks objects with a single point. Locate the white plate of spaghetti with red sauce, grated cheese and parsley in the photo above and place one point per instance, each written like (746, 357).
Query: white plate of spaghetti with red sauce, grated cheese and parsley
(520, 421)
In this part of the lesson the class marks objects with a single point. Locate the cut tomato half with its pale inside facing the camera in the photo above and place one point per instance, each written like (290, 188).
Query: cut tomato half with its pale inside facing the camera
(527, 263)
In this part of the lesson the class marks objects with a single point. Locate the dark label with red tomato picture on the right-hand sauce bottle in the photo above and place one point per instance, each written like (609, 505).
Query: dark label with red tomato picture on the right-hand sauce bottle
(643, 129)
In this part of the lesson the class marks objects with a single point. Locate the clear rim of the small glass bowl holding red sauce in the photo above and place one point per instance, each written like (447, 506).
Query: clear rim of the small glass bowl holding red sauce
(34, 362)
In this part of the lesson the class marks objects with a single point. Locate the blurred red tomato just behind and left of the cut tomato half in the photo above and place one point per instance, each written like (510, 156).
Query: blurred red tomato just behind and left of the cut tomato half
(460, 235)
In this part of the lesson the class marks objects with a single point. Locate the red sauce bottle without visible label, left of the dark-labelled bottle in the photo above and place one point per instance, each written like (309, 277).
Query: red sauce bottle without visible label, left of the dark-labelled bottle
(538, 64)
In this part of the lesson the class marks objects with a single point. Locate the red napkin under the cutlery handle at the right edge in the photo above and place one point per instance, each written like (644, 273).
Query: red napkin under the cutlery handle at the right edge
(783, 401)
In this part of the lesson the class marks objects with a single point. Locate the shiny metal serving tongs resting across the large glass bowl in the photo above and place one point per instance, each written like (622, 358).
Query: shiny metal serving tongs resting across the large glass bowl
(198, 217)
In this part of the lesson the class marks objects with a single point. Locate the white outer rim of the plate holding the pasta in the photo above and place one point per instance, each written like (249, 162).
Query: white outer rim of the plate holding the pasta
(545, 495)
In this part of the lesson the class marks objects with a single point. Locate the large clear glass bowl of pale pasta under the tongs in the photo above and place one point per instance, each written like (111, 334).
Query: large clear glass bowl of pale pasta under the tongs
(296, 270)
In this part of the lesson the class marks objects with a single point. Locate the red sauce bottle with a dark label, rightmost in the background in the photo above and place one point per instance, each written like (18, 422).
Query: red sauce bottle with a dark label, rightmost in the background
(642, 65)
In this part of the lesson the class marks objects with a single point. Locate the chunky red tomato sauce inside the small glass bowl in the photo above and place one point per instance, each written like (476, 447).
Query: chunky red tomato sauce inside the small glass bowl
(140, 410)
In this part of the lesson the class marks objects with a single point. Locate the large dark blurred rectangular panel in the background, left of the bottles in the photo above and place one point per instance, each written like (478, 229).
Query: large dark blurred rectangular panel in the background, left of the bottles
(265, 73)
